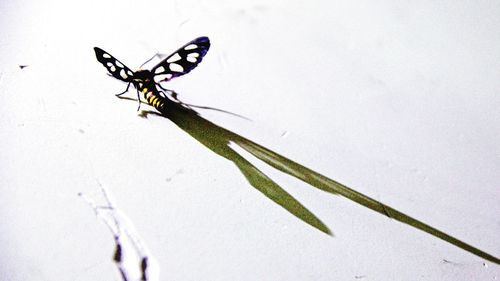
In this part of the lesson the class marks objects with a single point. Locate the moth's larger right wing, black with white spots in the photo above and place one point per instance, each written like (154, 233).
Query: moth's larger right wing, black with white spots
(181, 61)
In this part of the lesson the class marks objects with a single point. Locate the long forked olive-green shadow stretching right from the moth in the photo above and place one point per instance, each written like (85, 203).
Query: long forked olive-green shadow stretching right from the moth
(217, 139)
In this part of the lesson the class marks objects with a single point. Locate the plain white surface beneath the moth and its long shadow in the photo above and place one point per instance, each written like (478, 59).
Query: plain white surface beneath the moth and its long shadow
(399, 101)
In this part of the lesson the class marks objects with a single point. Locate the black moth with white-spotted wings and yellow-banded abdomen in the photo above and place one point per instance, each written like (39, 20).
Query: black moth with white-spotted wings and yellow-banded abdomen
(147, 81)
